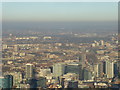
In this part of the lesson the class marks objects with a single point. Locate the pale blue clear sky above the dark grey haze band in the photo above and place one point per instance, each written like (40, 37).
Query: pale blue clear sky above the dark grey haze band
(59, 11)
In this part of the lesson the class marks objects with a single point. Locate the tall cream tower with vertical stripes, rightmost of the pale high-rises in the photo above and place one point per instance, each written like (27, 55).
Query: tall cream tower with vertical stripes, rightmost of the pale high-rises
(109, 69)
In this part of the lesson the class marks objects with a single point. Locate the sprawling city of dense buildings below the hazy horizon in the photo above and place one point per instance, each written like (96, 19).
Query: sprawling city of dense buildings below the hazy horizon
(60, 60)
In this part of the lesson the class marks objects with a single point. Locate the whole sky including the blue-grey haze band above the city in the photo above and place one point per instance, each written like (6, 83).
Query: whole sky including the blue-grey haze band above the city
(60, 16)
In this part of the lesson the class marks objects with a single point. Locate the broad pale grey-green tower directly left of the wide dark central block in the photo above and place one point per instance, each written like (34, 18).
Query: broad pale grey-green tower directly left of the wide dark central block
(58, 69)
